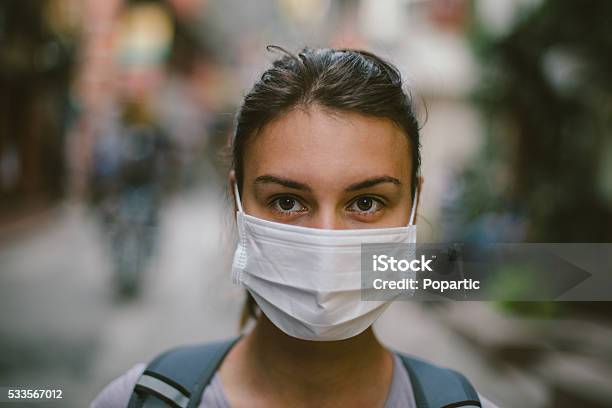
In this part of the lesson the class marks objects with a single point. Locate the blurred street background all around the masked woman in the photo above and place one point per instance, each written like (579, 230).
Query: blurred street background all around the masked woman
(115, 224)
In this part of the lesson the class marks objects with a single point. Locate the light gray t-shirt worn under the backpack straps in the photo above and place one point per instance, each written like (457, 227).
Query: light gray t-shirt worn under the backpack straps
(117, 394)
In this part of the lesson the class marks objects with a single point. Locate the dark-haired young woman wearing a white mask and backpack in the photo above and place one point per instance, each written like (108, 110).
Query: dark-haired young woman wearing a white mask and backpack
(325, 157)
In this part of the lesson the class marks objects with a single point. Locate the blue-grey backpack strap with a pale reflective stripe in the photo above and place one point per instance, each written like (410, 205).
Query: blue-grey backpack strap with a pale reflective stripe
(178, 377)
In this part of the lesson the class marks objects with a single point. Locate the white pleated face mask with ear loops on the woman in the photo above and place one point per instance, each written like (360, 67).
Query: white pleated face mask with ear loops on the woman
(307, 281)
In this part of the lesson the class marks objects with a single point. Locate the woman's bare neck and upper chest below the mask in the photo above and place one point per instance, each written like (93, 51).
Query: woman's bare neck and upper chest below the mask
(294, 371)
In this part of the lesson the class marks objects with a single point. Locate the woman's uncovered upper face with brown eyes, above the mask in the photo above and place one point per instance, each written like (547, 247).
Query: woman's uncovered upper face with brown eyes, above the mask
(337, 170)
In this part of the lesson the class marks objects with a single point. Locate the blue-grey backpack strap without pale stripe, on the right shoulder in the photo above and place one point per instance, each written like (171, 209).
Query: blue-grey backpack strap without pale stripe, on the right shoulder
(437, 387)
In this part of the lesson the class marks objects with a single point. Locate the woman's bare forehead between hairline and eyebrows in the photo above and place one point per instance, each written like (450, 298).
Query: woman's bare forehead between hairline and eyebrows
(322, 147)
